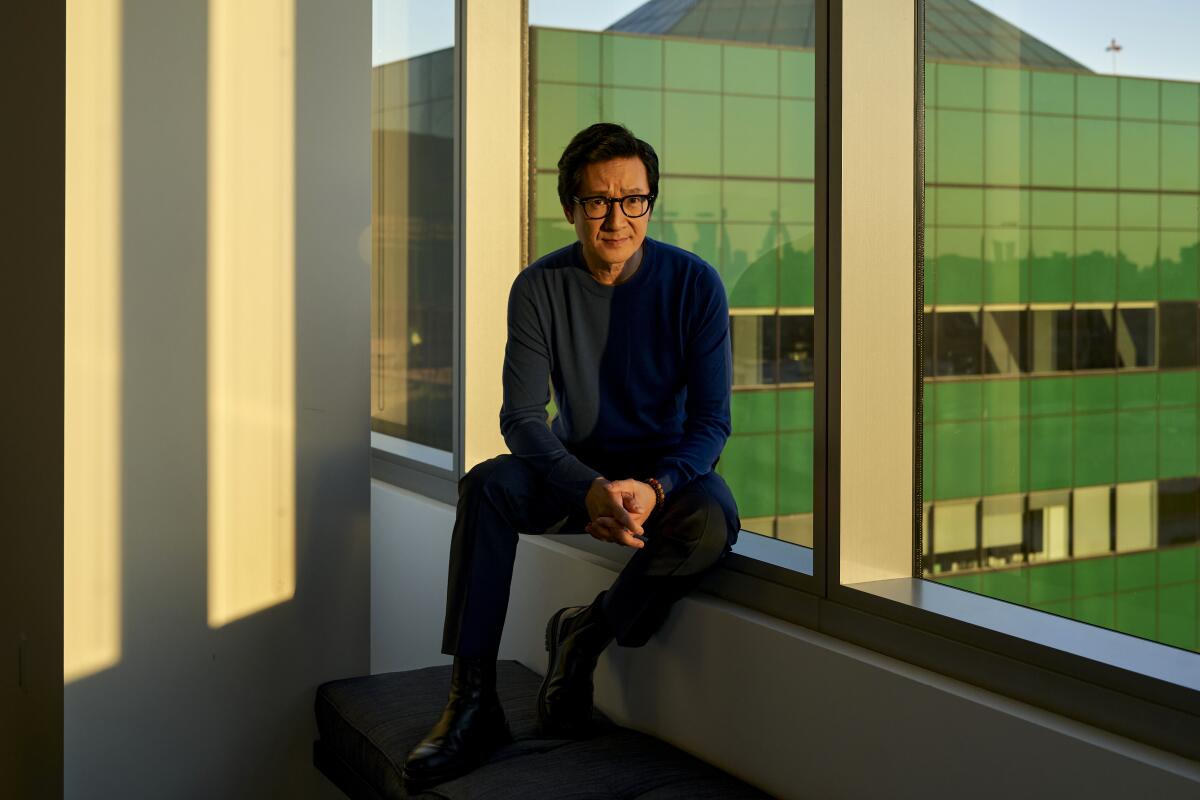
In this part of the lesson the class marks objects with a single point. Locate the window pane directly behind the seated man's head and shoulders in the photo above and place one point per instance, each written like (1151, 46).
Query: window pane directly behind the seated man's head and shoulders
(727, 98)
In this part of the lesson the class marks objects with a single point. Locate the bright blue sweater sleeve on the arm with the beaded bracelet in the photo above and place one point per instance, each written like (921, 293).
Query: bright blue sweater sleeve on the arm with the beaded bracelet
(709, 374)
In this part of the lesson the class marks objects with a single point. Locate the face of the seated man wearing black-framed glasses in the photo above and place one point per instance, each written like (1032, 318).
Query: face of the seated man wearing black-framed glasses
(616, 238)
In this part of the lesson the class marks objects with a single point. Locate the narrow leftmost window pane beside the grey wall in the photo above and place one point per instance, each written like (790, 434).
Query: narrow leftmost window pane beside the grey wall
(412, 257)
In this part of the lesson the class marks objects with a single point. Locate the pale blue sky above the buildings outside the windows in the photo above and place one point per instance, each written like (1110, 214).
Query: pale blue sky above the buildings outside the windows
(1160, 39)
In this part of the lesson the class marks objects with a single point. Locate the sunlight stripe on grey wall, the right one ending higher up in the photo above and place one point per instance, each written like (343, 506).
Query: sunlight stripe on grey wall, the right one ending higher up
(251, 306)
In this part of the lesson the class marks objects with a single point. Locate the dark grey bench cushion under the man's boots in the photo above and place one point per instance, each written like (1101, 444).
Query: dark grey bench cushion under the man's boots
(369, 725)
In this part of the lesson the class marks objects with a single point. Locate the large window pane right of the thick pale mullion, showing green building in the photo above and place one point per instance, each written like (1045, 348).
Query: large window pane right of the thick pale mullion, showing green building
(1063, 318)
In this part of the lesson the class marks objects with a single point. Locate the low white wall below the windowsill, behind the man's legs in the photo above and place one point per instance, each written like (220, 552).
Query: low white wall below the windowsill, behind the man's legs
(795, 712)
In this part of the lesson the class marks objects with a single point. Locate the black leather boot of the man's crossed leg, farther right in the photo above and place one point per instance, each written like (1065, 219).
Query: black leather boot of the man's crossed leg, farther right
(575, 639)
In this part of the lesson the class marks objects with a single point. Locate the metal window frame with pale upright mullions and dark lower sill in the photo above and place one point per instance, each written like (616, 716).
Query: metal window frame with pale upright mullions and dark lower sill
(950, 631)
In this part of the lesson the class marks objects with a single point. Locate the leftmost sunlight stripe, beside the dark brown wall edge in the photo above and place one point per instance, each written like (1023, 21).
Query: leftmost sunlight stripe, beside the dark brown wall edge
(92, 420)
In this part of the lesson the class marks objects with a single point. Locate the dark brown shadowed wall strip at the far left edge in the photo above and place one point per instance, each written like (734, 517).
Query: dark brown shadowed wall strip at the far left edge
(32, 80)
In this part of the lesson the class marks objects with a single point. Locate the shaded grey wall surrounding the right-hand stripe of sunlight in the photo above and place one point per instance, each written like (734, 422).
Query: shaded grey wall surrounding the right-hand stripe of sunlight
(191, 711)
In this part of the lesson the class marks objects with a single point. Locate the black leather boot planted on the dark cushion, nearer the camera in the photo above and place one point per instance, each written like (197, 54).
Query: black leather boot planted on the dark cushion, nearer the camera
(471, 727)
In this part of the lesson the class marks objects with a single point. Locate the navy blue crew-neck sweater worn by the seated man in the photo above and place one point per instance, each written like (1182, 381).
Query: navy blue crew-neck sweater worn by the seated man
(641, 371)
